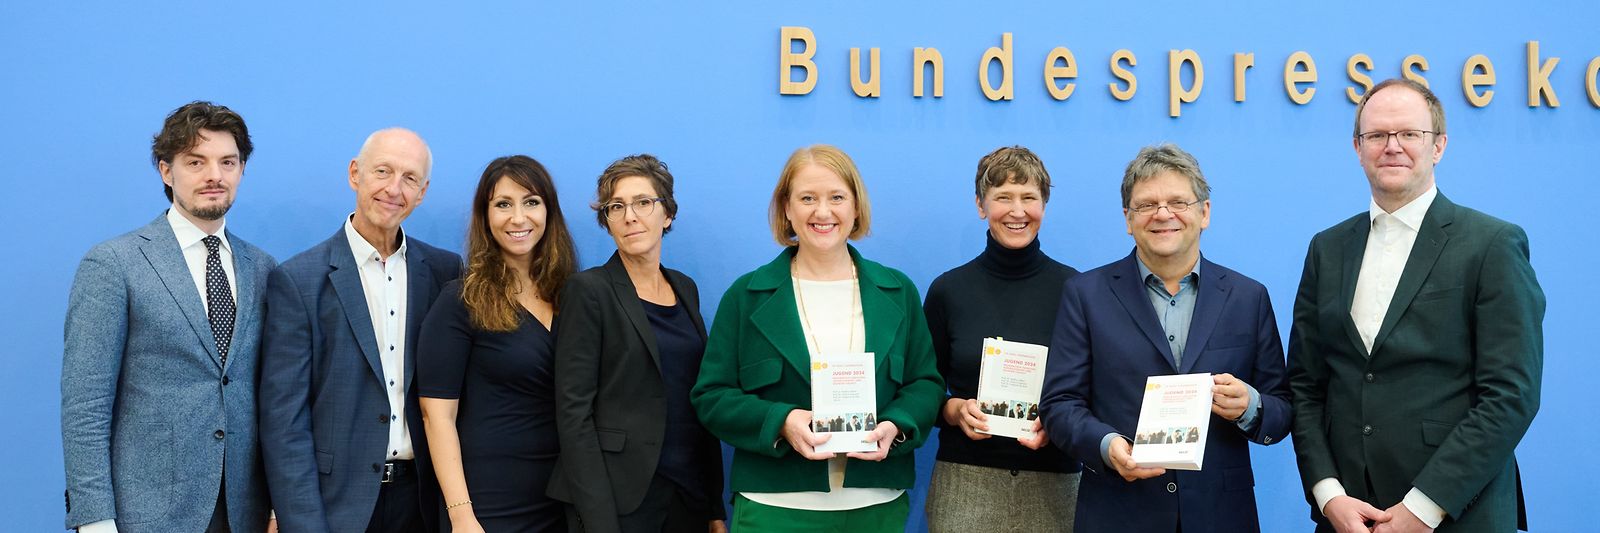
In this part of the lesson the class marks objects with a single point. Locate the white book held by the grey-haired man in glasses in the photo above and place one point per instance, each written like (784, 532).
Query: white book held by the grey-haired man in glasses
(1174, 422)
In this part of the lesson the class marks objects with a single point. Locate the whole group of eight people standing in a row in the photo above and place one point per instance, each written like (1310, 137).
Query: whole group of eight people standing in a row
(375, 383)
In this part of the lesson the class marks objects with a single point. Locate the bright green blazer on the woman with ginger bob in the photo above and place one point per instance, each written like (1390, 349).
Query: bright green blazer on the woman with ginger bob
(758, 371)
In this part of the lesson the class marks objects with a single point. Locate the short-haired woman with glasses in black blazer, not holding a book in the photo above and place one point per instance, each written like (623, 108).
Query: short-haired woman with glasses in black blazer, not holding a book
(634, 459)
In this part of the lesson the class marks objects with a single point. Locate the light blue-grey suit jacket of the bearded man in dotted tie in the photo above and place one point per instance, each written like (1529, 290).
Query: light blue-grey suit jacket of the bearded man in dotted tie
(148, 409)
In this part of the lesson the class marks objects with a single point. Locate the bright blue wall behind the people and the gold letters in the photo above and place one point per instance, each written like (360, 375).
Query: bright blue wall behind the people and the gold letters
(86, 87)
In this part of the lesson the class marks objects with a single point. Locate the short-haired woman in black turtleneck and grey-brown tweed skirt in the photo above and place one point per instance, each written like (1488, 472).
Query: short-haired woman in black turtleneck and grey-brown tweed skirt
(1012, 292)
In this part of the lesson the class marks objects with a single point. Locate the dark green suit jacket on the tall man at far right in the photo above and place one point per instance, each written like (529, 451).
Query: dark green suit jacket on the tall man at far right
(1450, 385)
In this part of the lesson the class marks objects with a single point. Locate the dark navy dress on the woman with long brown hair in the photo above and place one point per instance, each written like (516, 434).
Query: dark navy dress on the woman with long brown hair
(506, 412)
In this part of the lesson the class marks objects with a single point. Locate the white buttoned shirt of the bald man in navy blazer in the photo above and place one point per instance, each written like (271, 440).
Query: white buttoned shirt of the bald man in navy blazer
(385, 284)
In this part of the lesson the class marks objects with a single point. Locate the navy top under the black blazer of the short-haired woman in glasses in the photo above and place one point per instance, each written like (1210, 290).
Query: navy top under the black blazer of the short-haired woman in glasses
(681, 348)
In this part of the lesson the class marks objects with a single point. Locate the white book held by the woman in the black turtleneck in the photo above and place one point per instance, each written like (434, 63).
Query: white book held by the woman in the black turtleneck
(1010, 379)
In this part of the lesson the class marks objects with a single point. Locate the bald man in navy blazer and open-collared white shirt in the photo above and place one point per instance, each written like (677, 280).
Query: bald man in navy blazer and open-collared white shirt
(342, 428)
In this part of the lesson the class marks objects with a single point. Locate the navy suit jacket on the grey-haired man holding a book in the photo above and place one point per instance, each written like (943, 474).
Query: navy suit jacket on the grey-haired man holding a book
(1108, 340)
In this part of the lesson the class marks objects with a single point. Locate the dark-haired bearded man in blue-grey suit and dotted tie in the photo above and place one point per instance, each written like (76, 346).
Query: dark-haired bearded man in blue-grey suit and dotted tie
(159, 367)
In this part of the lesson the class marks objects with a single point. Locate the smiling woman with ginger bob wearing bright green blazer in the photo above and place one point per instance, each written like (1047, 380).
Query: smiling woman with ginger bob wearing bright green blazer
(815, 302)
